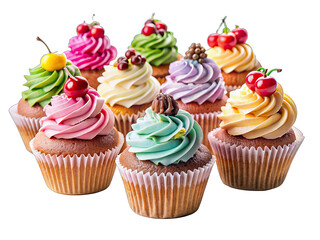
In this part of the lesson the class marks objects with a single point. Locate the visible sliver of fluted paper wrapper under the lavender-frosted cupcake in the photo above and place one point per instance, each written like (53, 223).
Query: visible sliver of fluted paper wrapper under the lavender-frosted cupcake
(208, 122)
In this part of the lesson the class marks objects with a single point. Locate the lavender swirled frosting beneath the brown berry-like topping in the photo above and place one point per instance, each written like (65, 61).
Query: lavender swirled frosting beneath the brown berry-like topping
(191, 81)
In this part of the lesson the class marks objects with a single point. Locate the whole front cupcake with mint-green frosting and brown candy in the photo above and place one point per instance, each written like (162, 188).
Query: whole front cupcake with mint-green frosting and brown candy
(165, 168)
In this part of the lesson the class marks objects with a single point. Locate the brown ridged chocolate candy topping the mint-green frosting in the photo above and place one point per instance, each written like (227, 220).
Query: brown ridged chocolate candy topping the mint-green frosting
(165, 104)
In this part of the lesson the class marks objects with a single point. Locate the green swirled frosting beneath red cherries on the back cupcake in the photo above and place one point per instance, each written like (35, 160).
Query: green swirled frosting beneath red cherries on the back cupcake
(157, 49)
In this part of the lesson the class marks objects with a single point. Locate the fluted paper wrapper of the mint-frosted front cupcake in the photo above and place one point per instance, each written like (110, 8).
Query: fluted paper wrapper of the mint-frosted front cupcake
(165, 195)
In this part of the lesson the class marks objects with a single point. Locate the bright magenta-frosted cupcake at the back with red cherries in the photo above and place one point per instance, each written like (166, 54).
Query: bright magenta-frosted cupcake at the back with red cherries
(90, 50)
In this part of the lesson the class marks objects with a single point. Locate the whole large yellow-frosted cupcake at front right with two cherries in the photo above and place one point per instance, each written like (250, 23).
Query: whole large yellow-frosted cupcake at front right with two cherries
(256, 141)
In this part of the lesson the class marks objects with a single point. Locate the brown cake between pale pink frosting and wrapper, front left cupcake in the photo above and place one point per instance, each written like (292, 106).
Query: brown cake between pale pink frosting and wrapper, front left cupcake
(65, 147)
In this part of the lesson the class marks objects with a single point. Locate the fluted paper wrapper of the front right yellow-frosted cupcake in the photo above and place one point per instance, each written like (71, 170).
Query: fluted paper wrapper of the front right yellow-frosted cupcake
(254, 169)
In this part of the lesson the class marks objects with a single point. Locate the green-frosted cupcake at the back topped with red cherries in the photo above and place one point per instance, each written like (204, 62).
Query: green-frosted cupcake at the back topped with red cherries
(158, 46)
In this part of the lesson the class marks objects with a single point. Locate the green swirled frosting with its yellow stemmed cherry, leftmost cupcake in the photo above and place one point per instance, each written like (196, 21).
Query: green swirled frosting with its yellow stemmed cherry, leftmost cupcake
(48, 78)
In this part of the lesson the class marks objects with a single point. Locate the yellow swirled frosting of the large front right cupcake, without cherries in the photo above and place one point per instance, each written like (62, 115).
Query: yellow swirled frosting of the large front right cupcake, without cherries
(253, 116)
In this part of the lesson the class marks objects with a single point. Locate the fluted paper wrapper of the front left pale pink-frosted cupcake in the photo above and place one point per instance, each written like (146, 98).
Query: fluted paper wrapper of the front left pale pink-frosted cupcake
(74, 175)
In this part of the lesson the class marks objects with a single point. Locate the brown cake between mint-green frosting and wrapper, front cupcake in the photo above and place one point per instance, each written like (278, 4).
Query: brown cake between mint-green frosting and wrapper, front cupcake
(130, 161)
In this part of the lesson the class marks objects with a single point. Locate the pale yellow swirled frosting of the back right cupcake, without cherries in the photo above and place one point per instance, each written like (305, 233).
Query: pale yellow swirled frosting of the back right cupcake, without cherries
(239, 59)
